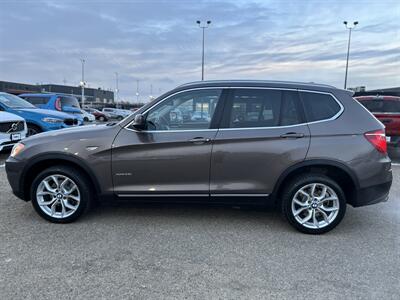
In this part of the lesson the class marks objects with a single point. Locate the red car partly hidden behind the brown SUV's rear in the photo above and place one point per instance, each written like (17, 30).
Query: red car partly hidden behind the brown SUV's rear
(387, 110)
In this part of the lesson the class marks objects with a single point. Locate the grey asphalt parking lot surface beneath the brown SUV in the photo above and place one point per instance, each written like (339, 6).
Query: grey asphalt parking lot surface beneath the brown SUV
(169, 252)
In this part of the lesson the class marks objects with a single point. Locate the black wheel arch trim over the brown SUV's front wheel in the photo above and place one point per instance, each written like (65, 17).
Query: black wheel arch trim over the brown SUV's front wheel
(42, 162)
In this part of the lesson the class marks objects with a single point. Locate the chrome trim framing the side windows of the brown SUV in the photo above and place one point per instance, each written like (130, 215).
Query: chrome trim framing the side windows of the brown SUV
(243, 128)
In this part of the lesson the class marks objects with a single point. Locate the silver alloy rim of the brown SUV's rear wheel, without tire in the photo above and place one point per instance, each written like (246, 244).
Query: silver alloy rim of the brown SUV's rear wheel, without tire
(315, 205)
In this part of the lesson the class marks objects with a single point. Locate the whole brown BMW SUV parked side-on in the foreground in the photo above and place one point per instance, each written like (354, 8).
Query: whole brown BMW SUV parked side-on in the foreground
(309, 148)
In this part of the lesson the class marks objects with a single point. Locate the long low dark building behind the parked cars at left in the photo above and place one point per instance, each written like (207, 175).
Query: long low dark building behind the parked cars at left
(93, 97)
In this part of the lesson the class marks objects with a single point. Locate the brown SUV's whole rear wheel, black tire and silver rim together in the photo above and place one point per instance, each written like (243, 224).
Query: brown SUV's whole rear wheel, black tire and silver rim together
(297, 207)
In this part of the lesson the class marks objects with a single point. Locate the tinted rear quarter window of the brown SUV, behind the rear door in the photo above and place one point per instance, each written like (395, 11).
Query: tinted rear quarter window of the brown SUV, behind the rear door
(319, 106)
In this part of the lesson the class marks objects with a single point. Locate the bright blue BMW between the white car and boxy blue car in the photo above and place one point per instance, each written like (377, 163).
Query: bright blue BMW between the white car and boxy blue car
(37, 120)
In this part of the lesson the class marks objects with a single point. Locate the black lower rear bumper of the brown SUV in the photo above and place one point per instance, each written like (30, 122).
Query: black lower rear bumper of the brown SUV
(372, 195)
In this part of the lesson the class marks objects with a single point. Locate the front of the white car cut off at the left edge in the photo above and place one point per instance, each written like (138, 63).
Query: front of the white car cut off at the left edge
(12, 129)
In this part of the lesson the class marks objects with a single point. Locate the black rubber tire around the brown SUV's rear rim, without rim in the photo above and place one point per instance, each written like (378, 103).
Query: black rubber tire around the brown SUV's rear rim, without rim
(295, 185)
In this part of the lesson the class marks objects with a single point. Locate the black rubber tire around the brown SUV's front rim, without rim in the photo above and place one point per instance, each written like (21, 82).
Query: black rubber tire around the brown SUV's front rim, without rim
(80, 181)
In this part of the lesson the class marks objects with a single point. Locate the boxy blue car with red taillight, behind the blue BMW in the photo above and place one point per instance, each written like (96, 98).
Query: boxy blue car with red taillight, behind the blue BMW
(55, 101)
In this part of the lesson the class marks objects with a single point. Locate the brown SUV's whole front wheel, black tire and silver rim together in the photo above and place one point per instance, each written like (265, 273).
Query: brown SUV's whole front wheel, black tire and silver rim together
(63, 212)
